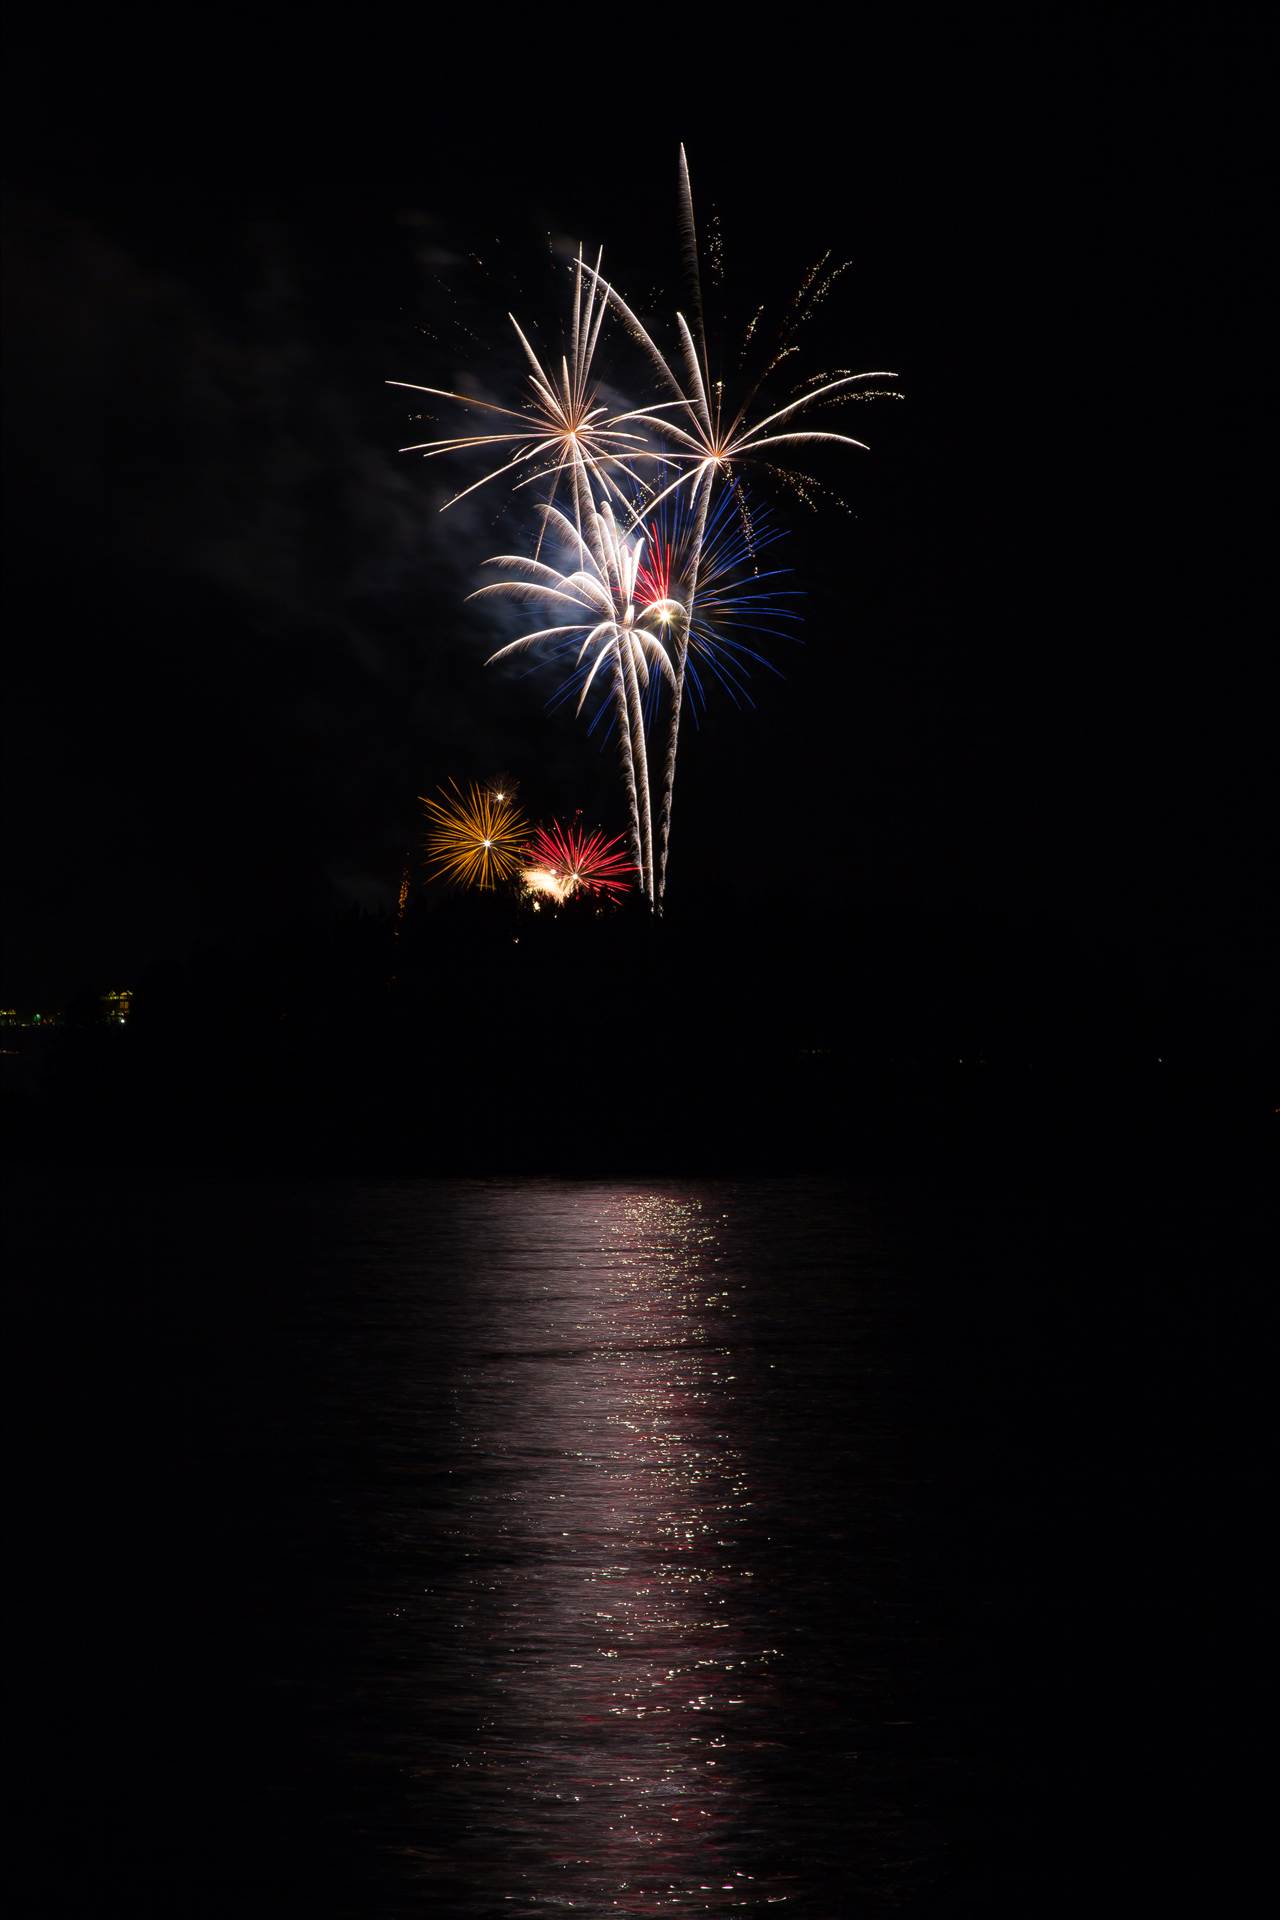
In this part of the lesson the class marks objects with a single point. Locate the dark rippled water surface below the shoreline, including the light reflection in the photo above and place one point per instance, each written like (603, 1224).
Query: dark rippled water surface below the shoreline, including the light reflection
(523, 1547)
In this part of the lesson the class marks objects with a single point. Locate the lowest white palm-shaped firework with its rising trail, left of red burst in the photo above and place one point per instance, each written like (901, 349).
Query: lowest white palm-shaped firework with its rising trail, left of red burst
(605, 629)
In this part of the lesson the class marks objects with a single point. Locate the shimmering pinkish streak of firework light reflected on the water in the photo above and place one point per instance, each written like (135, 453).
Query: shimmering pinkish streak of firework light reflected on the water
(609, 1612)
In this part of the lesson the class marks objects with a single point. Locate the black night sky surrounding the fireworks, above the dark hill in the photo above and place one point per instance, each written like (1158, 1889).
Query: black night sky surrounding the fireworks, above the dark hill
(1035, 683)
